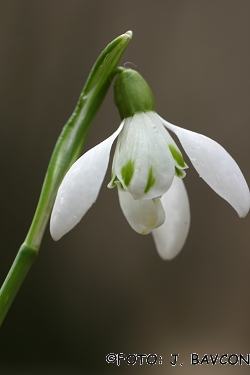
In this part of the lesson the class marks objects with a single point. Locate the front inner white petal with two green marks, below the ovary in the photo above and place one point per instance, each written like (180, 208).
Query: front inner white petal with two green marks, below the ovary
(144, 164)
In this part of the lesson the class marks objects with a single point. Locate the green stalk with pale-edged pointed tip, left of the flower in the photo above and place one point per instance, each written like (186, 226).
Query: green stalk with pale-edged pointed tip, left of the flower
(67, 150)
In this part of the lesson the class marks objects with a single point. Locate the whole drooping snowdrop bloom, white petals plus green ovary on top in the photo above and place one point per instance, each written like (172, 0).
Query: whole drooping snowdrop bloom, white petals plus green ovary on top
(148, 168)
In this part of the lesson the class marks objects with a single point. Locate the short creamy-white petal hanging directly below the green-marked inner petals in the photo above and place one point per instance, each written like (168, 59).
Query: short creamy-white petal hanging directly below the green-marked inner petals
(142, 215)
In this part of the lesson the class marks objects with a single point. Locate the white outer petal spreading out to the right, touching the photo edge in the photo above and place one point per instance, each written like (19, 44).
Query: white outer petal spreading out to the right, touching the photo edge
(216, 167)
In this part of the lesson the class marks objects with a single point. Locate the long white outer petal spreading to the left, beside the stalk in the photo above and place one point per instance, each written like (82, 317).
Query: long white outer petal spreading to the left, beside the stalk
(80, 187)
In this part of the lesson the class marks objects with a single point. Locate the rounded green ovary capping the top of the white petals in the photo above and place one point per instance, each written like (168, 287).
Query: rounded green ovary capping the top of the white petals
(132, 94)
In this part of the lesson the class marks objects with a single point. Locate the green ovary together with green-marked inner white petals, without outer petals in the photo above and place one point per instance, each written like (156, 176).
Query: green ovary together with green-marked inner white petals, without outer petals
(146, 157)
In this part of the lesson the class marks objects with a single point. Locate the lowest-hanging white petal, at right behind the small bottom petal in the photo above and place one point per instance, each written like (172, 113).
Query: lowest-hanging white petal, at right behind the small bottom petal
(171, 236)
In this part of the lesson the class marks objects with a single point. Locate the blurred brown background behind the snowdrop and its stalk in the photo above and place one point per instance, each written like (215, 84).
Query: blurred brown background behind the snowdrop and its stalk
(103, 288)
